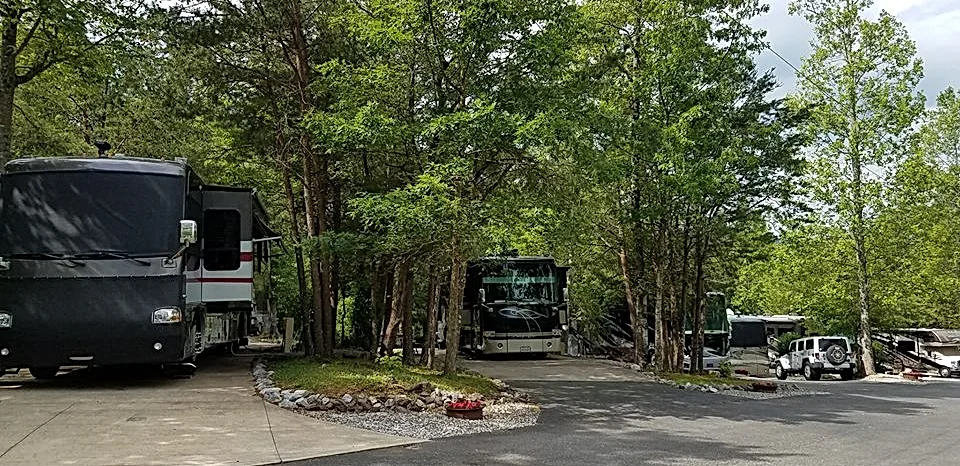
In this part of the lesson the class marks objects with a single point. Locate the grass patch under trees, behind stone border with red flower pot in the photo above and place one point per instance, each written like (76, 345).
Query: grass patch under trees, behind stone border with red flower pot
(334, 378)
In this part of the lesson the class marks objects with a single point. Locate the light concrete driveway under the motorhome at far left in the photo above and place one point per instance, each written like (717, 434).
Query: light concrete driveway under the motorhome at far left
(96, 418)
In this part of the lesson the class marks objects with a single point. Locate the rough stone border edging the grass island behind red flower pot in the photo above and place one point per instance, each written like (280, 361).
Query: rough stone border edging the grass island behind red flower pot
(420, 397)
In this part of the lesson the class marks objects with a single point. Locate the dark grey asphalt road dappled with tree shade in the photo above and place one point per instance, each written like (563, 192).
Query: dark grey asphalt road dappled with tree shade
(612, 419)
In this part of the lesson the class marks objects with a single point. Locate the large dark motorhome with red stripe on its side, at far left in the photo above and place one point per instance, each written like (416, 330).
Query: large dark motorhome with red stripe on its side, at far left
(116, 261)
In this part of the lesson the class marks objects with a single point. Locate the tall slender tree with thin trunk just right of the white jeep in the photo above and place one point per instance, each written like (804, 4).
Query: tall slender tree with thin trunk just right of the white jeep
(860, 82)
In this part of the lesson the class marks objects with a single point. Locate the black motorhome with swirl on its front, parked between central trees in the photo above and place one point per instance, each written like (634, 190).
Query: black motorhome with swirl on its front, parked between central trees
(514, 305)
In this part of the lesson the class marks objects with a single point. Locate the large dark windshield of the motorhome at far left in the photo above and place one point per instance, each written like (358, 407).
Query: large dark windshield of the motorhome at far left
(65, 212)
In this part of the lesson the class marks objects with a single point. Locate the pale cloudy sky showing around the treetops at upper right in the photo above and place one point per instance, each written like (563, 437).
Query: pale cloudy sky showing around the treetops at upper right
(933, 24)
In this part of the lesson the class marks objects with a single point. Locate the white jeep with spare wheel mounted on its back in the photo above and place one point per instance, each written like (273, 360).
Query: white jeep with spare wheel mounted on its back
(814, 356)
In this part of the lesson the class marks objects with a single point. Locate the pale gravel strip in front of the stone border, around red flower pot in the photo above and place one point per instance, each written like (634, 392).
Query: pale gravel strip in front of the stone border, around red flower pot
(435, 425)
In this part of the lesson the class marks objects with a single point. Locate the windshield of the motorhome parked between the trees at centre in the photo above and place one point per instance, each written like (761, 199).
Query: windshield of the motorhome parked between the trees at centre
(513, 281)
